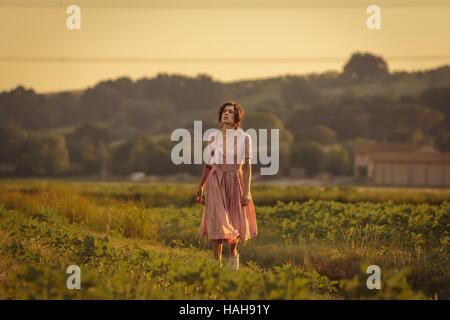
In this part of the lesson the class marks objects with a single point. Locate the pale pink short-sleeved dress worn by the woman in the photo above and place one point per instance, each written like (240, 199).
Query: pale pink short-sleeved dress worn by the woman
(224, 218)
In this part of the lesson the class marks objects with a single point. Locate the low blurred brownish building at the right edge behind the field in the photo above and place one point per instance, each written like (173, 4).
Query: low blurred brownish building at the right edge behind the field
(408, 165)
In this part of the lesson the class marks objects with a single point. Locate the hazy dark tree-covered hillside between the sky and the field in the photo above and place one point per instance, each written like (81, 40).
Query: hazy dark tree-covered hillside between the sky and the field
(122, 126)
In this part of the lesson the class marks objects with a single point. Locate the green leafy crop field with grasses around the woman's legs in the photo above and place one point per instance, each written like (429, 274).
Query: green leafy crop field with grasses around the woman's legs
(140, 241)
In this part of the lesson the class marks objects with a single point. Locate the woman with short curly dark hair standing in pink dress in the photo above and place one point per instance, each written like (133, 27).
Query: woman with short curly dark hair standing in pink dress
(229, 213)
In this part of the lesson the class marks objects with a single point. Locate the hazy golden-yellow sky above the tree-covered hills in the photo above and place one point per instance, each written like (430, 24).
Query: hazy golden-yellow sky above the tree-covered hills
(229, 40)
